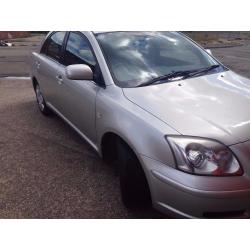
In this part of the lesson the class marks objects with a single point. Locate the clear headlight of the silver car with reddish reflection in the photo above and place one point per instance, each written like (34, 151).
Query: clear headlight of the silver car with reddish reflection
(203, 156)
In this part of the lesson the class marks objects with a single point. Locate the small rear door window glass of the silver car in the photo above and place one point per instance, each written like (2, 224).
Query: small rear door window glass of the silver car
(54, 45)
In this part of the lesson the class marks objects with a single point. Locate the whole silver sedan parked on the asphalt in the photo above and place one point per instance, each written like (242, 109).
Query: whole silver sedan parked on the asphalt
(161, 108)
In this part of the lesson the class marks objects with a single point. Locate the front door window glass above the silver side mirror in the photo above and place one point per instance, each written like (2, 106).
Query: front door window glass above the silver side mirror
(78, 51)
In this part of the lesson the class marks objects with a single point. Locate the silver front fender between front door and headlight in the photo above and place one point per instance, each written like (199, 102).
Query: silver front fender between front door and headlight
(143, 132)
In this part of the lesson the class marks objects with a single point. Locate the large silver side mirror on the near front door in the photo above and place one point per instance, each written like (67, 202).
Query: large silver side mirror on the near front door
(79, 72)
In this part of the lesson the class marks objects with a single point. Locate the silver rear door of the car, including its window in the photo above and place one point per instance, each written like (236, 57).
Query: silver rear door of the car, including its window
(47, 66)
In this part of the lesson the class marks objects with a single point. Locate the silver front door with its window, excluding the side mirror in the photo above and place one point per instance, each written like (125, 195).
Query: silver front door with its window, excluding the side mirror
(77, 97)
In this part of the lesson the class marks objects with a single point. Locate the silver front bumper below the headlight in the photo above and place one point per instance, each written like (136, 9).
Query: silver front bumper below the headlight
(190, 196)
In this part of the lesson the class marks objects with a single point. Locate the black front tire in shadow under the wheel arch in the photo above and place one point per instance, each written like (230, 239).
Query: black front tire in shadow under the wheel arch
(133, 183)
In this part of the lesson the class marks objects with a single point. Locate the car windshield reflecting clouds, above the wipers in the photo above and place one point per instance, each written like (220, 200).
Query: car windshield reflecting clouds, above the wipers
(137, 57)
